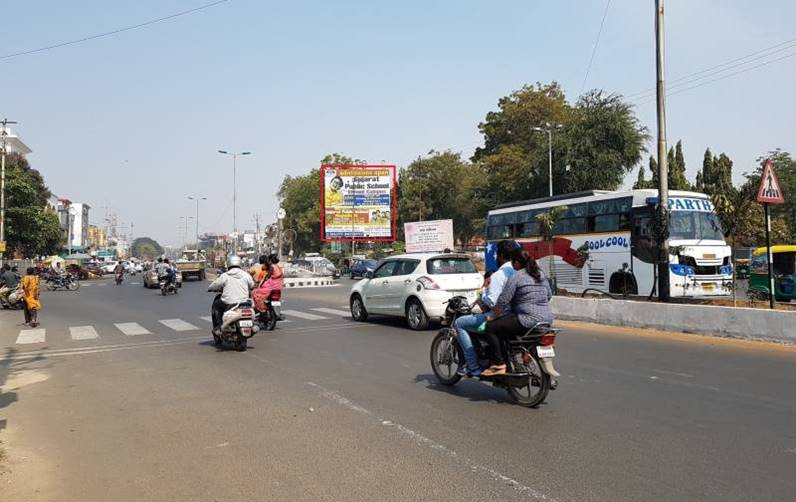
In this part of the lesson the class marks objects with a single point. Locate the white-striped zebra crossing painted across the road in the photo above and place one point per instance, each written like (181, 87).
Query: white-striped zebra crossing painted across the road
(33, 336)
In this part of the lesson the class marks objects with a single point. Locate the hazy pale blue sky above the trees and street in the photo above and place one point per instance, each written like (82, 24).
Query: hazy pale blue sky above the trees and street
(133, 121)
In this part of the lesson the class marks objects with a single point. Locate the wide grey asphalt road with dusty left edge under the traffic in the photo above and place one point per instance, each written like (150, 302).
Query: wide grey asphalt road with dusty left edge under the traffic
(327, 409)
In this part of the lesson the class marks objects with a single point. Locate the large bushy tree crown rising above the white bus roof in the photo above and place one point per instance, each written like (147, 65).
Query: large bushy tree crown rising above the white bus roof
(598, 144)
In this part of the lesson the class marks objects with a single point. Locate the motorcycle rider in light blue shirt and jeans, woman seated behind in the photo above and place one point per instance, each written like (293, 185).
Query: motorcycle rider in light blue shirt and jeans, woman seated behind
(506, 251)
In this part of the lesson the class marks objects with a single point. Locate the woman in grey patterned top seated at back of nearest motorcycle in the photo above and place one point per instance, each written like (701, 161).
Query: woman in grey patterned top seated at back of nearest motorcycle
(527, 295)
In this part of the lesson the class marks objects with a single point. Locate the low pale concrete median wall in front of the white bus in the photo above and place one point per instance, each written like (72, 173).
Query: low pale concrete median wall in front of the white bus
(744, 323)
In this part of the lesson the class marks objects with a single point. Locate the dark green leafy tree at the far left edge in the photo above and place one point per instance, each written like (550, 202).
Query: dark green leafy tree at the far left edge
(32, 227)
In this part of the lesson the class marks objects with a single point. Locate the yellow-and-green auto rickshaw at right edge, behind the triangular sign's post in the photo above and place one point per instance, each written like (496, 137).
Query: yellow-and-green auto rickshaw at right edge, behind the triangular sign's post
(783, 271)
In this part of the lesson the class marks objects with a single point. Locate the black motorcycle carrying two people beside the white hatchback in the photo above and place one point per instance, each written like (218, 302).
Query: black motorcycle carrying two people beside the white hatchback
(530, 374)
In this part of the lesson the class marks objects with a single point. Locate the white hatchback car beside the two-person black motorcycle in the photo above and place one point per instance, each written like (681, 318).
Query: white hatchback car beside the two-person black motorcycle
(415, 286)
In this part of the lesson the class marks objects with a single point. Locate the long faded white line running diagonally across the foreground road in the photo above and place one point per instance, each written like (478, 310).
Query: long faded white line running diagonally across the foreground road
(424, 441)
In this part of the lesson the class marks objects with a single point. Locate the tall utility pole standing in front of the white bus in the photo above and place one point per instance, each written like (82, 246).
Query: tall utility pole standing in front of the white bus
(663, 168)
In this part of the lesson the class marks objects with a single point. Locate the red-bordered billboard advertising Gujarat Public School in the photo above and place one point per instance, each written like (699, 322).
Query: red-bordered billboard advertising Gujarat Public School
(357, 203)
